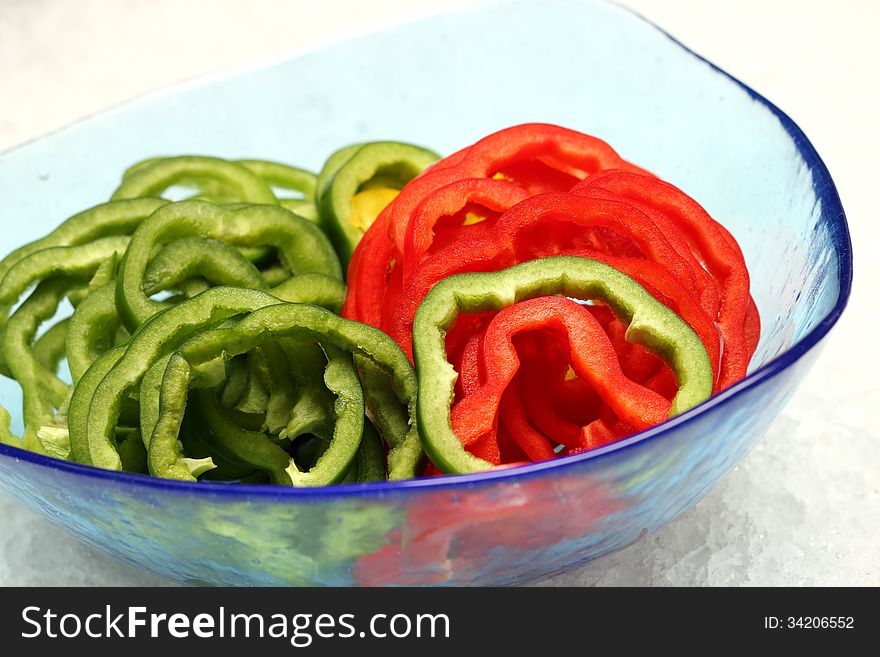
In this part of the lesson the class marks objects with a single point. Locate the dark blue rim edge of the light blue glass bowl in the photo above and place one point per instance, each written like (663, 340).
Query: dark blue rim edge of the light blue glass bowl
(832, 214)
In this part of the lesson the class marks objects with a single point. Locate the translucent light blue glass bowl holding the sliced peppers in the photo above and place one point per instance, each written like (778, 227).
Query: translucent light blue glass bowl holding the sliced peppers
(444, 82)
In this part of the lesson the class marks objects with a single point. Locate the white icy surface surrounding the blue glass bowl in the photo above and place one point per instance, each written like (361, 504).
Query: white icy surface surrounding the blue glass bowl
(803, 508)
